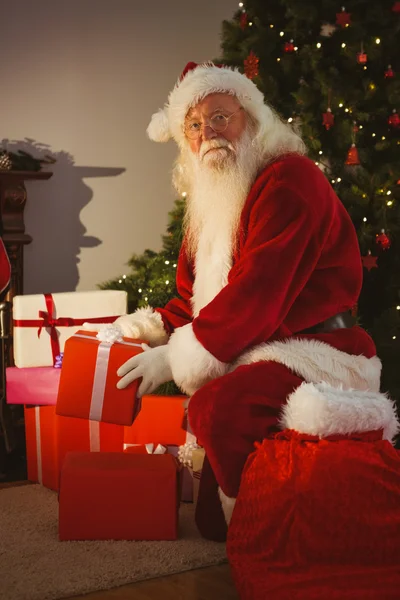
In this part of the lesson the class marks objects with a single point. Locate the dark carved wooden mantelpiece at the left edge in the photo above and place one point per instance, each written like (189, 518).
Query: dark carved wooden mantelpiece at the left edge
(13, 198)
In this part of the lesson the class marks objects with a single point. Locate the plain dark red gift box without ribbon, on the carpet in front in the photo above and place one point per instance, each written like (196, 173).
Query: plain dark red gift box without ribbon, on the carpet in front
(118, 496)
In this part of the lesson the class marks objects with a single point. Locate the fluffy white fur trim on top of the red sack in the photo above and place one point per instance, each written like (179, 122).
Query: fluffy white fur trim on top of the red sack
(323, 410)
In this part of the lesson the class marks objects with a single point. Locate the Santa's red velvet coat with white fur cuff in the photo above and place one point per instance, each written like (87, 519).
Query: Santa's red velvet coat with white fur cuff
(297, 263)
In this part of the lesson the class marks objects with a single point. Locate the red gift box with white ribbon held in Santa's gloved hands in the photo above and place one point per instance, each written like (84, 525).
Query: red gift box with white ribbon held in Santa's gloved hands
(88, 383)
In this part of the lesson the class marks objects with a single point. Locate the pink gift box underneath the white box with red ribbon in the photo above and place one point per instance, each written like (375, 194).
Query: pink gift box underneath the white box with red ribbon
(37, 386)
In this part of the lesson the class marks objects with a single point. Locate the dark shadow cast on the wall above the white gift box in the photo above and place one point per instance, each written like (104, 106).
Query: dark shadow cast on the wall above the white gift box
(52, 218)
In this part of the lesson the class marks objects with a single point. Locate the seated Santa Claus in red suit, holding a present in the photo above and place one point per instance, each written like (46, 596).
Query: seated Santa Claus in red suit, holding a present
(268, 272)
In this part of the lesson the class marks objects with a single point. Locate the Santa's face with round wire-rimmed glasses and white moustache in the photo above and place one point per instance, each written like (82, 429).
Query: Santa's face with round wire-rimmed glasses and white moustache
(213, 129)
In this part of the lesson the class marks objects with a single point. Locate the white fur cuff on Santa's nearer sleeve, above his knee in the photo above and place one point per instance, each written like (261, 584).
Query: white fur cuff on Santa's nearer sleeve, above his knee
(191, 364)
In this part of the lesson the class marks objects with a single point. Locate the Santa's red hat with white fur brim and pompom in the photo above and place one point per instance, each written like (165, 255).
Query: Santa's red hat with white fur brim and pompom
(196, 82)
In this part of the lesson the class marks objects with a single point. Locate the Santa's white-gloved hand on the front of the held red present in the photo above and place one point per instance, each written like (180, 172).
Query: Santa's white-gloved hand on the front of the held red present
(152, 365)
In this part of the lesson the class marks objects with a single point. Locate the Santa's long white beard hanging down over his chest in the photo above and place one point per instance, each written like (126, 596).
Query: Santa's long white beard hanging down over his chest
(220, 183)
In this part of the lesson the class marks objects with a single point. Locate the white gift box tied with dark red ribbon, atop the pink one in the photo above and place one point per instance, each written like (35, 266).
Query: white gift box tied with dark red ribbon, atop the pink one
(39, 335)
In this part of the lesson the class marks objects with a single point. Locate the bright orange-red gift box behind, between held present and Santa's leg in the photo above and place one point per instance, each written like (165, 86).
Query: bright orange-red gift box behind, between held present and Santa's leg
(160, 420)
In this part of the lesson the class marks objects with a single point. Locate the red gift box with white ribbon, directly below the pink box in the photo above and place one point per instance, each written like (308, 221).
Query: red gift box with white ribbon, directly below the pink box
(41, 445)
